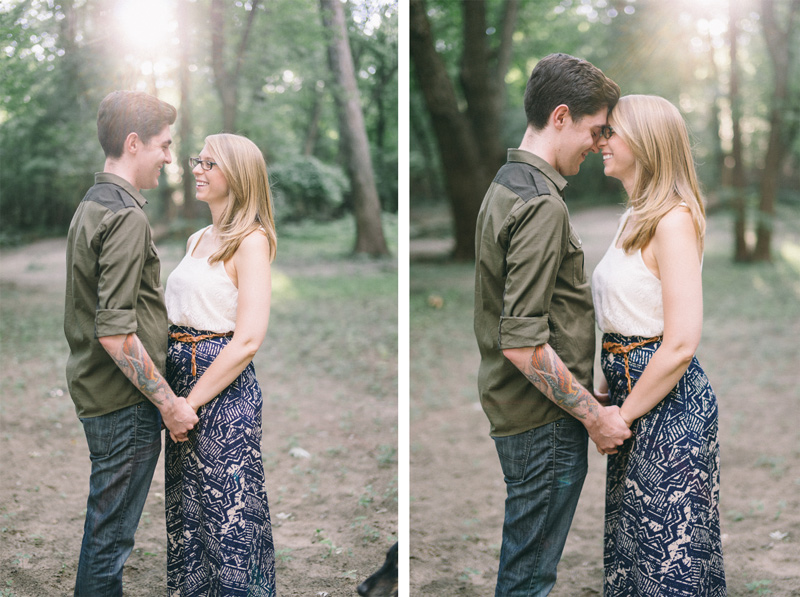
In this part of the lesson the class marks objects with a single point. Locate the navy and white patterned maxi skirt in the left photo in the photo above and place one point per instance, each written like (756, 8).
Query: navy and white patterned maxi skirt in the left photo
(219, 538)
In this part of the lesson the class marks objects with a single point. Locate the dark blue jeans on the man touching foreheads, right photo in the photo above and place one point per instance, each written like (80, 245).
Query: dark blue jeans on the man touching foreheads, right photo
(544, 471)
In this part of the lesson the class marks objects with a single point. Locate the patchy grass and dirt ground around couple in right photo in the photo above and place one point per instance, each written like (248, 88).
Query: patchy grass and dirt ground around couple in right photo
(749, 350)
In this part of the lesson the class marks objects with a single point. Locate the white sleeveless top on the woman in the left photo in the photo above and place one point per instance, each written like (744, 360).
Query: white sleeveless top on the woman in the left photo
(200, 295)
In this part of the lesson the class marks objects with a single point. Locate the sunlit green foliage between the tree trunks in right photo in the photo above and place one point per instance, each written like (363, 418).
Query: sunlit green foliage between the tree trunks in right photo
(678, 50)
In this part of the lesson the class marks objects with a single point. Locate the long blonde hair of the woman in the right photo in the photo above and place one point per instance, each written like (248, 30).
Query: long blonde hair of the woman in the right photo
(665, 176)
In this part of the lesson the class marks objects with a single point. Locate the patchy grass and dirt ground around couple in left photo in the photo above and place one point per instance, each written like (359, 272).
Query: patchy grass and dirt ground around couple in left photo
(329, 372)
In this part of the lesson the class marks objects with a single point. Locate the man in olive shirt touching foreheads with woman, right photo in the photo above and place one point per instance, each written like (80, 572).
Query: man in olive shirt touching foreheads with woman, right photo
(534, 323)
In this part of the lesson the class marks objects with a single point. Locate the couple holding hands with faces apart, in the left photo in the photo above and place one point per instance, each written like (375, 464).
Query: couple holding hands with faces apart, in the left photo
(123, 330)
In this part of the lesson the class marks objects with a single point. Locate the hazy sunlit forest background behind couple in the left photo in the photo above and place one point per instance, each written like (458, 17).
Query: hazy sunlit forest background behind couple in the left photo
(266, 69)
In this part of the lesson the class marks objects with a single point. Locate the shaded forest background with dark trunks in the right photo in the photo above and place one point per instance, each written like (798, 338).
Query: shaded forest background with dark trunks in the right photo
(729, 65)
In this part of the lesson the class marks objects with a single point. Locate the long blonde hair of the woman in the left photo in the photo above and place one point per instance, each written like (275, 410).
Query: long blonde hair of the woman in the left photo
(249, 204)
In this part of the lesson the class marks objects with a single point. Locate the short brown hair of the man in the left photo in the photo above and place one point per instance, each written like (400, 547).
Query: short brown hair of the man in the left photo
(124, 112)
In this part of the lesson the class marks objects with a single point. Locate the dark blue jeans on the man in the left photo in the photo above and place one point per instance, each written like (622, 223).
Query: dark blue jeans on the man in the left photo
(124, 447)
